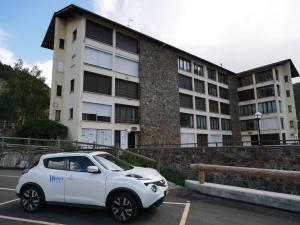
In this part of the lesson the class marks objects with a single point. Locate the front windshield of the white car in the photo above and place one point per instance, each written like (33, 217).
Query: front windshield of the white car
(112, 163)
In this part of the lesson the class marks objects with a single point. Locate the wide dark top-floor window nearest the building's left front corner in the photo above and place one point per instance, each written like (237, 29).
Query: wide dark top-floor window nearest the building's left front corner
(99, 33)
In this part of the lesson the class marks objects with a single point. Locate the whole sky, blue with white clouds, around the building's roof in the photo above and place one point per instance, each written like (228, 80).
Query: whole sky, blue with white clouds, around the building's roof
(238, 34)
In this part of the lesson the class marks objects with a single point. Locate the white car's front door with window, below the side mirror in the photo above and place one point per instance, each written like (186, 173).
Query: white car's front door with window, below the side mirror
(82, 187)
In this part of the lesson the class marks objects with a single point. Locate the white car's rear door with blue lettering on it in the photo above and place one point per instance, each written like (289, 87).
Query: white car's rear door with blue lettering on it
(54, 181)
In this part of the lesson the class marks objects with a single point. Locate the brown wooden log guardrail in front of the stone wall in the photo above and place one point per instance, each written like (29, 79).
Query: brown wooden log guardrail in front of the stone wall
(257, 172)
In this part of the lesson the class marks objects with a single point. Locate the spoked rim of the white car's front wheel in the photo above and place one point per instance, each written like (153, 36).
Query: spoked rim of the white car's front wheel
(122, 208)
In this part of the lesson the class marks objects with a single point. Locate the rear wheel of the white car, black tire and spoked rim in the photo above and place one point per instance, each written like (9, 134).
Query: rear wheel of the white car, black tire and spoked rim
(32, 199)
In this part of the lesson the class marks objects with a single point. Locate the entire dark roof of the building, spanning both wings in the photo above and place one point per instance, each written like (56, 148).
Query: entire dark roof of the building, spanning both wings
(73, 10)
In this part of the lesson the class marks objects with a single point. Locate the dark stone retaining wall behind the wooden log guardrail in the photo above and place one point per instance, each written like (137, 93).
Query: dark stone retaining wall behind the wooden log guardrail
(277, 157)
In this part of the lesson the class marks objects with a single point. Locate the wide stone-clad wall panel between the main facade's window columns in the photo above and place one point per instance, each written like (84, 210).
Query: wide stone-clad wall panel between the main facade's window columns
(159, 94)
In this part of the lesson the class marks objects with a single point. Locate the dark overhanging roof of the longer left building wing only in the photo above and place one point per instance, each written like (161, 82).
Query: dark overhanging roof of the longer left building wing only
(73, 10)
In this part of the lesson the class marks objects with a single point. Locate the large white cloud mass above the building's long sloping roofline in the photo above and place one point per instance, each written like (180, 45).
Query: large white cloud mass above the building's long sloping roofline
(239, 34)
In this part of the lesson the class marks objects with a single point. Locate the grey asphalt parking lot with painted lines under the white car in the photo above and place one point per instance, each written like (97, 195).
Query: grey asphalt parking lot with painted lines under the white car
(181, 207)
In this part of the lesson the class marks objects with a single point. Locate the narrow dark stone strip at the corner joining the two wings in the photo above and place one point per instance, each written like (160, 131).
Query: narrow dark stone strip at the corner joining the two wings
(234, 110)
